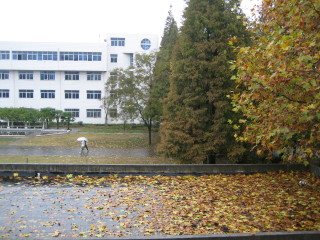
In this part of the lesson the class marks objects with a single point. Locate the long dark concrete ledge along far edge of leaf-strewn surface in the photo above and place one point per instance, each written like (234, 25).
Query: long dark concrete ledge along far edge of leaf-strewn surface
(154, 169)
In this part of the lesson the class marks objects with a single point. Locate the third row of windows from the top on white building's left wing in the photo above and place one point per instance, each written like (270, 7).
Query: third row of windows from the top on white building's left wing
(51, 94)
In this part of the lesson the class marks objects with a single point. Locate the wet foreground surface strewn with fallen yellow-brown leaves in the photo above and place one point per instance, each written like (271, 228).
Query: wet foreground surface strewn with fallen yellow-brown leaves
(81, 206)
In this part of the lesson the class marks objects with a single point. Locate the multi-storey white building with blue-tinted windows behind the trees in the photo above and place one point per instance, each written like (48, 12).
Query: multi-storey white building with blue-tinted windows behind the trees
(66, 76)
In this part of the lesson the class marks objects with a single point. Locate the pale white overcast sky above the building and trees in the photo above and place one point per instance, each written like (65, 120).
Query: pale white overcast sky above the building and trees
(86, 20)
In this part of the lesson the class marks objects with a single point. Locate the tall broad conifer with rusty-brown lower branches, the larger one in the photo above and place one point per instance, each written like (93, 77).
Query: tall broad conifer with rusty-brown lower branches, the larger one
(195, 127)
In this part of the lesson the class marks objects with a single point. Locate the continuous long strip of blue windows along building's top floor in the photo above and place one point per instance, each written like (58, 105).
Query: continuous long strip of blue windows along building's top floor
(50, 55)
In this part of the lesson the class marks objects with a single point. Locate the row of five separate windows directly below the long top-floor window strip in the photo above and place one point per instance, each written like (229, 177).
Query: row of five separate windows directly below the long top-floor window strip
(51, 75)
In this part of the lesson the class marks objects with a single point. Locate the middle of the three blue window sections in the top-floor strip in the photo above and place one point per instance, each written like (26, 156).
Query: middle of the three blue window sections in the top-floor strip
(34, 55)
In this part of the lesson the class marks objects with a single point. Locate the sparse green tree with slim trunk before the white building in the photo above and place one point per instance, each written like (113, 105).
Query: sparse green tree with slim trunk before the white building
(131, 90)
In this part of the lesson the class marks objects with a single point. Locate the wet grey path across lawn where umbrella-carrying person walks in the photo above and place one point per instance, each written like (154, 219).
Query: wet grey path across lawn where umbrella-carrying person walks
(14, 150)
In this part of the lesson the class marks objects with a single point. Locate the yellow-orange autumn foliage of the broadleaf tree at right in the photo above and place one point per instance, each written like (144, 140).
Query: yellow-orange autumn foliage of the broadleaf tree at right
(279, 81)
